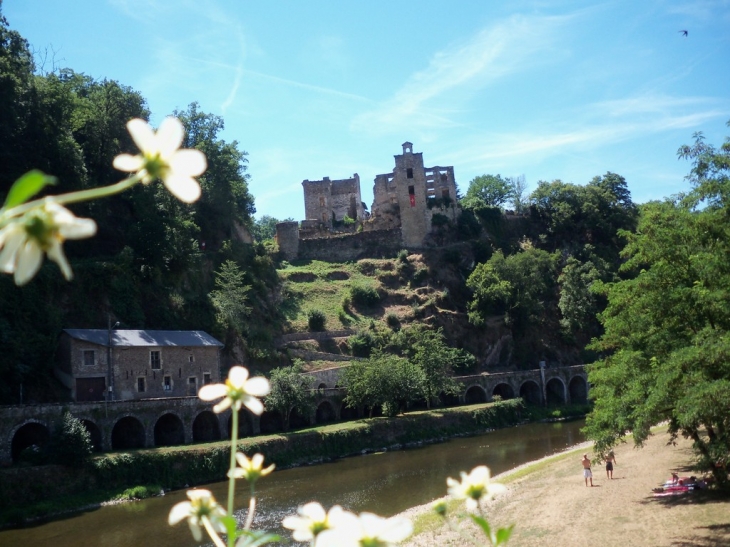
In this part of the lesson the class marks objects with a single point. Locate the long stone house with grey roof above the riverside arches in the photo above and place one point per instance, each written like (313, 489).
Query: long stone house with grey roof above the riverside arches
(136, 364)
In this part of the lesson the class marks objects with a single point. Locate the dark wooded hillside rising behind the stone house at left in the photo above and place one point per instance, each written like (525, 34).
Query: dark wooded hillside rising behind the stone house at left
(151, 264)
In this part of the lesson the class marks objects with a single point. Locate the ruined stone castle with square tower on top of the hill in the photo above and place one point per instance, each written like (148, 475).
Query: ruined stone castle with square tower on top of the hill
(404, 204)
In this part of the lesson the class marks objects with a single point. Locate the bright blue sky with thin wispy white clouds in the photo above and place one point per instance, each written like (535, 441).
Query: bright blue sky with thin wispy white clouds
(546, 89)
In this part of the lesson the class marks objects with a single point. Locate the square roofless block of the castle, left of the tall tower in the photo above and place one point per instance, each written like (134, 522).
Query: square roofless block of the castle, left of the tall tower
(328, 201)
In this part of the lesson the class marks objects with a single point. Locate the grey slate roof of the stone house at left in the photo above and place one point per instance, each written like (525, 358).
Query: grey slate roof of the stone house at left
(138, 338)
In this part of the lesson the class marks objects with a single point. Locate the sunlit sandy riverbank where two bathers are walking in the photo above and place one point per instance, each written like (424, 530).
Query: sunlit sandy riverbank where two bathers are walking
(551, 506)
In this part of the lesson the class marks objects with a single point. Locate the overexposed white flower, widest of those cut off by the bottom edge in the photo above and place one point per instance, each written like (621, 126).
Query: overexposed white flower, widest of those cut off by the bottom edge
(367, 530)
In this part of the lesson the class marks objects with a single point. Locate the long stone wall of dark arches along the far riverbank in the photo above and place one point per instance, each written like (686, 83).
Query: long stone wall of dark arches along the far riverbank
(122, 425)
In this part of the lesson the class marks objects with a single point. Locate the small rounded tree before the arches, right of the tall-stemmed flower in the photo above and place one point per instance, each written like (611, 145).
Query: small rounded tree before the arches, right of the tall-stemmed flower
(290, 390)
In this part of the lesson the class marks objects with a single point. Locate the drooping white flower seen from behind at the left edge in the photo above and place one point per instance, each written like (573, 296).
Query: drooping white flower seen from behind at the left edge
(41, 230)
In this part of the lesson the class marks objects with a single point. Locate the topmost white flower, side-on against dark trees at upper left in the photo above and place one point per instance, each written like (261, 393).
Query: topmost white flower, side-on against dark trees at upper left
(161, 158)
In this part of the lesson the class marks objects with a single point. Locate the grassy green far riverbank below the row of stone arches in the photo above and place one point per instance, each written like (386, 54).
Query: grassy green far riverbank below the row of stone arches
(31, 493)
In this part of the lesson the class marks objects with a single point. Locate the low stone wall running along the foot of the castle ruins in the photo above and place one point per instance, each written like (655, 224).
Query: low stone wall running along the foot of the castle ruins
(345, 247)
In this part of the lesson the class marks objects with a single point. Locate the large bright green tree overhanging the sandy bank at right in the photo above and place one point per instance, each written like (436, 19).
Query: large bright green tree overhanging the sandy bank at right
(667, 339)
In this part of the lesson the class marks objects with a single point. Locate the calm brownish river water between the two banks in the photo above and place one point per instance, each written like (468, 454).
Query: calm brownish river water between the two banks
(385, 483)
